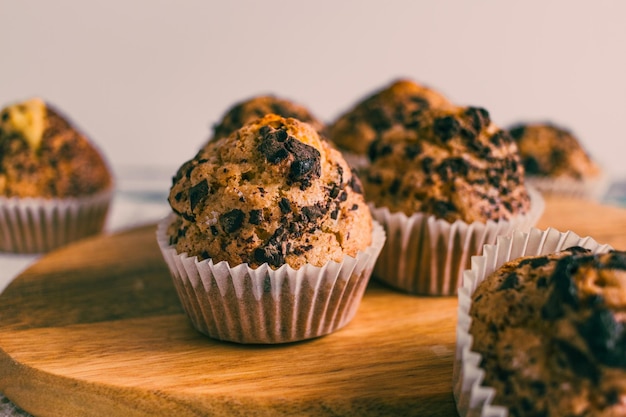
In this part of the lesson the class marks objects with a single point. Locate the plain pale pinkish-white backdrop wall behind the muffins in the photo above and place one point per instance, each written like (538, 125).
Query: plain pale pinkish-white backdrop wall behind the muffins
(147, 78)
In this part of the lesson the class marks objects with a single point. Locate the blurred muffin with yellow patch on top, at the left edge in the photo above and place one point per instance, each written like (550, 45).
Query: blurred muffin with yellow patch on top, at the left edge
(55, 186)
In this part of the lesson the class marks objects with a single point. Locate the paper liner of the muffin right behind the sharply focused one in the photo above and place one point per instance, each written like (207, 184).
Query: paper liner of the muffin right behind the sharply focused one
(426, 256)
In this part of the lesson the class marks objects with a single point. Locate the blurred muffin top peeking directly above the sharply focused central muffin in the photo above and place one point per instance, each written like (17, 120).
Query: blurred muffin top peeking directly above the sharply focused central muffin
(257, 107)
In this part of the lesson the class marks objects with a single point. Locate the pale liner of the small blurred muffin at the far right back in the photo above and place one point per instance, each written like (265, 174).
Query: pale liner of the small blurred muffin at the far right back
(590, 189)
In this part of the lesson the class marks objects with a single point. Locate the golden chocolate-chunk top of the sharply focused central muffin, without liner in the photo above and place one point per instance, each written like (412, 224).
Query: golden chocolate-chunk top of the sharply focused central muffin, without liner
(273, 192)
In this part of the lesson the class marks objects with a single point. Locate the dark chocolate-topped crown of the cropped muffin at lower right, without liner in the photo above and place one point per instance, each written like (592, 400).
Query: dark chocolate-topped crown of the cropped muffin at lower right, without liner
(552, 333)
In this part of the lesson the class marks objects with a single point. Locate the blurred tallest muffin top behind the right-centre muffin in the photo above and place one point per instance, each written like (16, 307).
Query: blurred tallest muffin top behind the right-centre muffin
(396, 106)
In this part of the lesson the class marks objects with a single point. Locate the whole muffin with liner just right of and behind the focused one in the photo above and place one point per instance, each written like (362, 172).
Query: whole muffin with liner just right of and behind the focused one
(443, 188)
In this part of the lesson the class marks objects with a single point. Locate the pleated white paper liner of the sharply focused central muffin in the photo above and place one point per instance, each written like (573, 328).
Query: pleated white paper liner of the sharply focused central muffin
(262, 305)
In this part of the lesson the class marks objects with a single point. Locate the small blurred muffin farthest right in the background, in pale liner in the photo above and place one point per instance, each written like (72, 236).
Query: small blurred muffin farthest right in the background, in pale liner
(556, 161)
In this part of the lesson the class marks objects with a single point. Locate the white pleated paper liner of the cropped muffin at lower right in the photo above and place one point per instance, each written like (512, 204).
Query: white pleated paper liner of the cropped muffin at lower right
(473, 399)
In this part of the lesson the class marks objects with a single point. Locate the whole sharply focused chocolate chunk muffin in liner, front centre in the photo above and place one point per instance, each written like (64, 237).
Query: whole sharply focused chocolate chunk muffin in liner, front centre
(271, 240)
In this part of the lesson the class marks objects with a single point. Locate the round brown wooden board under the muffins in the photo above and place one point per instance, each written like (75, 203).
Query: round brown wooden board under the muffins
(95, 329)
